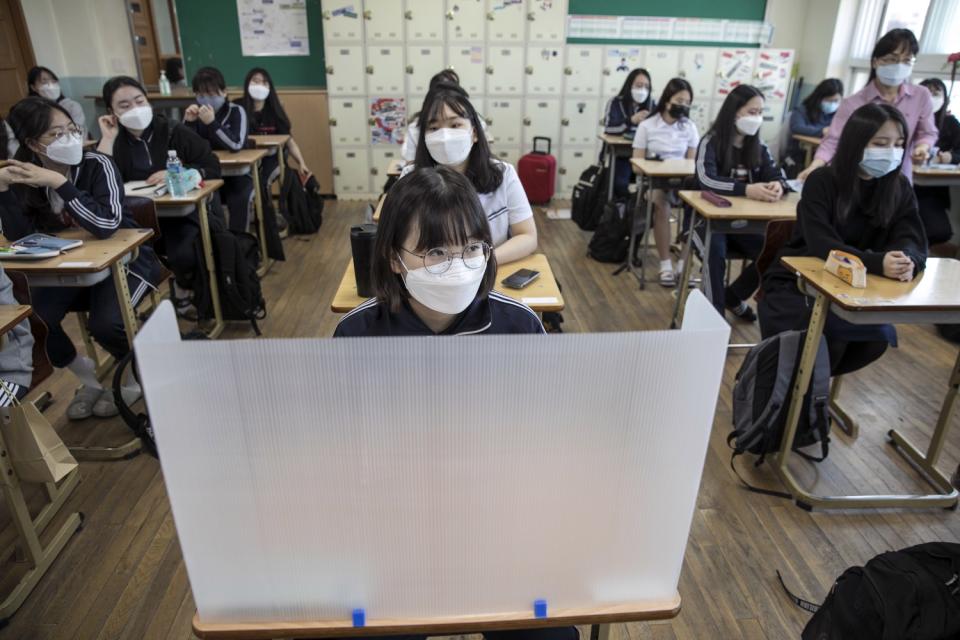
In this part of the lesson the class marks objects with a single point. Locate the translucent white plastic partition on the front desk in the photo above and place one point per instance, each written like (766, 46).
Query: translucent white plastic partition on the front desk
(420, 477)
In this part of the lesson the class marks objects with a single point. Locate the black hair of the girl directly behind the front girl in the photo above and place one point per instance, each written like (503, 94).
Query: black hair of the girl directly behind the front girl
(483, 173)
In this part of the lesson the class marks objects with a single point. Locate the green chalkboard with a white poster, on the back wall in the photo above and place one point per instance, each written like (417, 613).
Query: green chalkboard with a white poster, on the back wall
(210, 36)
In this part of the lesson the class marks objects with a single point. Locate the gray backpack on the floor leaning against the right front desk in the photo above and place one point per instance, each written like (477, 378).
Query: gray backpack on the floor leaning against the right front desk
(761, 400)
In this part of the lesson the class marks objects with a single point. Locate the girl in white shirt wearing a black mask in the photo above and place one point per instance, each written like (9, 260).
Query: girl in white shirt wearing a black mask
(668, 133)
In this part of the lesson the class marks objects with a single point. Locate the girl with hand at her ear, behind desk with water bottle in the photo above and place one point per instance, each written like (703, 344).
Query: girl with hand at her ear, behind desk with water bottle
(138, 139)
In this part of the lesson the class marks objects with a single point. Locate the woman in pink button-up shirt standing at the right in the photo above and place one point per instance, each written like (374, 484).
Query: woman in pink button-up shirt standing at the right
(892, 63)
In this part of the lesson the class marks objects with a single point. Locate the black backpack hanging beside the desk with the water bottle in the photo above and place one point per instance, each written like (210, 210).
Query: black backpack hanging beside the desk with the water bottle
(237, 257)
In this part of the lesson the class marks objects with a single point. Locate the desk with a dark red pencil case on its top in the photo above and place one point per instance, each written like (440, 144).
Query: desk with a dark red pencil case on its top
(744, 216)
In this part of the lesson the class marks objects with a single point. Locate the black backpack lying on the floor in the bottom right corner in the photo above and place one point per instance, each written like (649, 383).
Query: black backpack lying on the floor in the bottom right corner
(912, 593)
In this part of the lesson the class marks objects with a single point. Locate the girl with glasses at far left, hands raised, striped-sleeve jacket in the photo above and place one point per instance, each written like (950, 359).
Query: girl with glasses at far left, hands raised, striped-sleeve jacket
(54, 185)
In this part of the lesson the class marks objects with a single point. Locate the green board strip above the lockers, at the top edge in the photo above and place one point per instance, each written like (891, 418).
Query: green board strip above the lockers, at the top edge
(716, 9)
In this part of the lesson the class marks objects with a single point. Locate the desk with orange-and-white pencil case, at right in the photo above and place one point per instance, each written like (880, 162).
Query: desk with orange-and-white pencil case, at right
(932, 297)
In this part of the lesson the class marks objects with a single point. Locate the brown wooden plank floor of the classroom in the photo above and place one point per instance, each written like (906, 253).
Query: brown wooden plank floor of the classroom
(123, 576)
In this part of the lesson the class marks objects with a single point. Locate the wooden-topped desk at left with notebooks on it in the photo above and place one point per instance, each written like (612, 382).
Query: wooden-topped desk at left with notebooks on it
(92, 262)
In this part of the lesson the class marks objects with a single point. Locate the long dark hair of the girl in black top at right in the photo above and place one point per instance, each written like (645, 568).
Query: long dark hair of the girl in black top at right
(857, 132)
